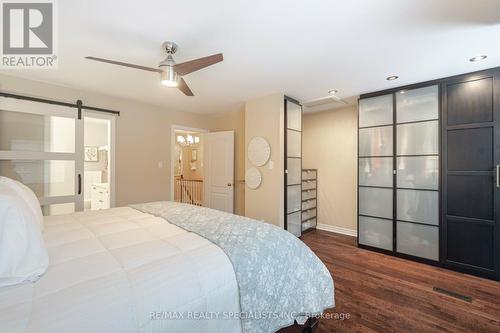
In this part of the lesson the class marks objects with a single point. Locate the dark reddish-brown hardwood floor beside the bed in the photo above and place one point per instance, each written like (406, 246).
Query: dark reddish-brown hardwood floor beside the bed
(381, 293)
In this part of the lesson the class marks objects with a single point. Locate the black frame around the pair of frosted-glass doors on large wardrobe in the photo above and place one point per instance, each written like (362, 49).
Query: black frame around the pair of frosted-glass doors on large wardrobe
(393, 92)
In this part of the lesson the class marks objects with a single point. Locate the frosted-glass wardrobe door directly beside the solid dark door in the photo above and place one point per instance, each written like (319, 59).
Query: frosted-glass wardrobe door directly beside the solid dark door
(417, 168)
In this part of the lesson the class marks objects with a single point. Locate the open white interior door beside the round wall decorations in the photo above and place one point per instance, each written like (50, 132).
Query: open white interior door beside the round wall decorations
(218, 164)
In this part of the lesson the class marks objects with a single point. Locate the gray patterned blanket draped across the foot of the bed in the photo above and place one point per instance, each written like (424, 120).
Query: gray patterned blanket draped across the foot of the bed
(279, 277)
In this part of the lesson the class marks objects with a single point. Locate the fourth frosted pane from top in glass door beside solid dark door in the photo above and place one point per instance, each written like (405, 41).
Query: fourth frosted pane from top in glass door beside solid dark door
(418, 206)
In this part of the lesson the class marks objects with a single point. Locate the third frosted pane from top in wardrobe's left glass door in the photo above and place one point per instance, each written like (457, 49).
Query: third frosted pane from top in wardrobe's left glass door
(376, 171)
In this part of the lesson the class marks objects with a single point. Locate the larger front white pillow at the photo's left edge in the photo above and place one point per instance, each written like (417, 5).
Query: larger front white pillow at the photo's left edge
(23, 256)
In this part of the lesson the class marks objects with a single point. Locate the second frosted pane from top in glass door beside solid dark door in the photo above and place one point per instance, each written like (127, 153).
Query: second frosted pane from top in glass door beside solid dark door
(418, 138)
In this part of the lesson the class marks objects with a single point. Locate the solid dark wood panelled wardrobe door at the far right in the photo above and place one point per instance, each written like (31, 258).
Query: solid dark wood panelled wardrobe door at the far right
(471, 187)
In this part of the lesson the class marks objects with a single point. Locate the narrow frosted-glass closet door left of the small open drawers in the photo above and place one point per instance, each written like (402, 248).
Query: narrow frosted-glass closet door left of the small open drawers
(293, 167)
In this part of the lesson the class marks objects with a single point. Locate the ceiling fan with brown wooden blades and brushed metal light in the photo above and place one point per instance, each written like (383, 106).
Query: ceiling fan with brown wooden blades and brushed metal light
(171, 73)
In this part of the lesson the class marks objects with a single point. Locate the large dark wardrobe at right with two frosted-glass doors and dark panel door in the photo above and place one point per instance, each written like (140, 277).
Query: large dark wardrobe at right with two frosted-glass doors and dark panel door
(428, 172)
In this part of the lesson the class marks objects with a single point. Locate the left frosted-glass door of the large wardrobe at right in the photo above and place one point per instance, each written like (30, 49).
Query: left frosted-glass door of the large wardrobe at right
(375, 167)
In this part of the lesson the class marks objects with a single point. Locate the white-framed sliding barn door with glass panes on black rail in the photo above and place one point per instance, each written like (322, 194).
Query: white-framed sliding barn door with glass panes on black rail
(41, 145)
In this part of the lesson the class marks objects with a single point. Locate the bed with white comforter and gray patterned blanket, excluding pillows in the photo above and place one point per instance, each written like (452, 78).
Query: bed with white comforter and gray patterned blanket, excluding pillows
(142, 269)
